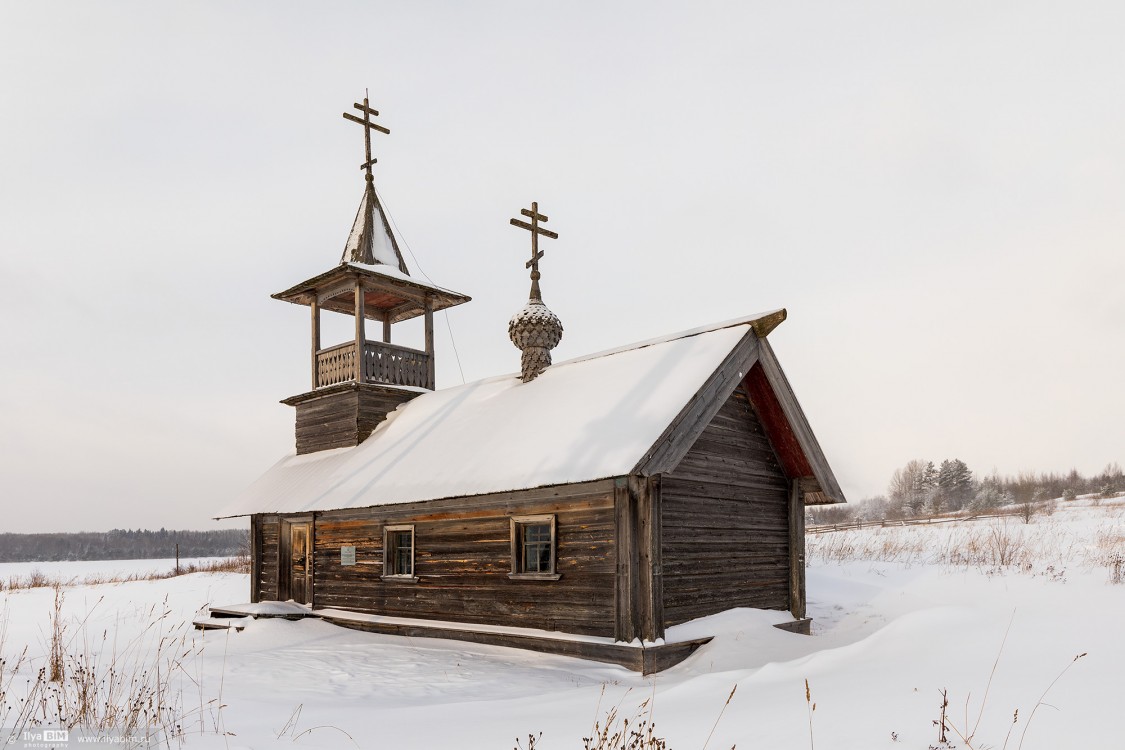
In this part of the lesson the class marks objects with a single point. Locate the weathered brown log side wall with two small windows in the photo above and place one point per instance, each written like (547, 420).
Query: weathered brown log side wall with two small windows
(463, 558)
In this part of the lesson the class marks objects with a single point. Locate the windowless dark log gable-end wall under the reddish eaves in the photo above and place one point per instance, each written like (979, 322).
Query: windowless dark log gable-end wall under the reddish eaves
(725, 521)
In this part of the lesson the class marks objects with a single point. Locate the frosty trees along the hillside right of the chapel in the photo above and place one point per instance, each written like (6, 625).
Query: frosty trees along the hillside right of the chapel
(921, 489)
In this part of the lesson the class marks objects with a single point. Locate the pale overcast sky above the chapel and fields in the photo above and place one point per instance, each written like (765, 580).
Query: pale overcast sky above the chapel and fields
(933, 191)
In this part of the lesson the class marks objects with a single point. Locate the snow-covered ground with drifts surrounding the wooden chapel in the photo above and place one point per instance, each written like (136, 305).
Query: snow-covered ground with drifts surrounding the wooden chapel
(892, 632)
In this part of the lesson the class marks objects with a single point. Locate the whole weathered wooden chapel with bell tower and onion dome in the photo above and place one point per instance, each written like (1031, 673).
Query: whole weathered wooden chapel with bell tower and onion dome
(581, 508)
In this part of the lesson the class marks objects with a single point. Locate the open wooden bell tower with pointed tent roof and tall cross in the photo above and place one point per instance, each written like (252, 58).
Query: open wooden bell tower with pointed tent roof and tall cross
(358, 383)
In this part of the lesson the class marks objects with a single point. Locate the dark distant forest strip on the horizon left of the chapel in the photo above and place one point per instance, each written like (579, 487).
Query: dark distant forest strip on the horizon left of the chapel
(123, 545)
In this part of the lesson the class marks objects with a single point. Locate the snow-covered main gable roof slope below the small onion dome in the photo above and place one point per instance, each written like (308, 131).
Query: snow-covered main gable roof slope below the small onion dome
(588, 419)
